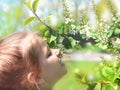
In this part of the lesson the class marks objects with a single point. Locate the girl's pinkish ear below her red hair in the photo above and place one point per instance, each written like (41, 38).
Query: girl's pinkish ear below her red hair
(33, 79)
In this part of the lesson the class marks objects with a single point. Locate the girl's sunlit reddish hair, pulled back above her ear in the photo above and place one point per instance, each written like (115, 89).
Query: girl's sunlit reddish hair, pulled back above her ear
(19, 54)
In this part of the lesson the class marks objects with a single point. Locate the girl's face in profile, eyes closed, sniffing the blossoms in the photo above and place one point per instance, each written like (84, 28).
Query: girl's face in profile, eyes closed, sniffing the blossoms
(52, 69)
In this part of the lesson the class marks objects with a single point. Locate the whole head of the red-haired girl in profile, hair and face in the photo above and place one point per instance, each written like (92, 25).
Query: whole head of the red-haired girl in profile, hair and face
(26, 62)
